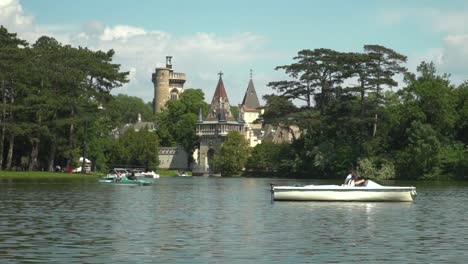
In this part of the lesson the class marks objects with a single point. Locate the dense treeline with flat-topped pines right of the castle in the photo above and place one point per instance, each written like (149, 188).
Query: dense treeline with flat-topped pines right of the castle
(352, 118)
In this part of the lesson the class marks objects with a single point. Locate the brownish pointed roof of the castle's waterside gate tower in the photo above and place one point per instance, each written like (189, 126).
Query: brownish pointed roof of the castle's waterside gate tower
(220, 109)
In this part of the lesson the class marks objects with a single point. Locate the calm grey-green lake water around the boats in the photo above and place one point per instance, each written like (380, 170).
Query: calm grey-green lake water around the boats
(217, 220)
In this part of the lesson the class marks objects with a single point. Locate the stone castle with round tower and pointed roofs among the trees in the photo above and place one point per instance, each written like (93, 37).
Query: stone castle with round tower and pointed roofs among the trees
(212, 129)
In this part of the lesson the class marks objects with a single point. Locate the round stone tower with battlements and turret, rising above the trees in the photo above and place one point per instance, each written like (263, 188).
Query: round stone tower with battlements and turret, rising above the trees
(168, 85)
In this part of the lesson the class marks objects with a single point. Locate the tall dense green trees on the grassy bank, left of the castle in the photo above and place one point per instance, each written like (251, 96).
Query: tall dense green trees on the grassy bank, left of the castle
(50, 96)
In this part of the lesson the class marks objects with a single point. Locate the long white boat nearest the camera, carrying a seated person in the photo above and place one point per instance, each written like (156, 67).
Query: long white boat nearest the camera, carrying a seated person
(372, 192)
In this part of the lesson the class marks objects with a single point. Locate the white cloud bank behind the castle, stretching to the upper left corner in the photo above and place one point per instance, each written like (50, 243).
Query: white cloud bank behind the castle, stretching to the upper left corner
(200, 55)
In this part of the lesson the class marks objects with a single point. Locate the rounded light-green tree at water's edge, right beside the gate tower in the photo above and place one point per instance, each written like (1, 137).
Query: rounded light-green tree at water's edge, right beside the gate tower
(233, 154)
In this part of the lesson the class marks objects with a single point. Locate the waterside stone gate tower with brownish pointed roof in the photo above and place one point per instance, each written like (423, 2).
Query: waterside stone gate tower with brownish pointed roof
(213, 130)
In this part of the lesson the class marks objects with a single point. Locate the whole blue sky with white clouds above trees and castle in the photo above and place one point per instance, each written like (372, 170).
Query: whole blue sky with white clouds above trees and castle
(207, 36)
